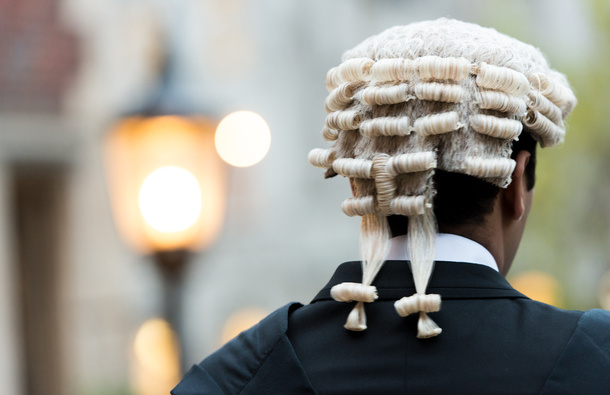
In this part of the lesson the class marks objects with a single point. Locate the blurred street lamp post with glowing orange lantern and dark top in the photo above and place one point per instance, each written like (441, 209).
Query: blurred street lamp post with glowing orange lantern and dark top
(167, 186)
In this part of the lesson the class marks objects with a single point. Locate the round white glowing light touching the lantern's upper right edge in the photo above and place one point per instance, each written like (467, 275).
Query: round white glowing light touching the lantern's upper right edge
(243, 138)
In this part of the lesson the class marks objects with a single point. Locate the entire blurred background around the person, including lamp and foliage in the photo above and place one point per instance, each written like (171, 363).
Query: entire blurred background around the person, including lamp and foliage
(98, 299)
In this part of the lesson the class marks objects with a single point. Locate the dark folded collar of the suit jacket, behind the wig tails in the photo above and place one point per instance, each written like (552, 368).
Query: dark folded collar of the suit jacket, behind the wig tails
(452, 280)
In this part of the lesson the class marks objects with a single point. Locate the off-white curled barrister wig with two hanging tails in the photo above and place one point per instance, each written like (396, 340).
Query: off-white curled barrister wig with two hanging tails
(432, 95)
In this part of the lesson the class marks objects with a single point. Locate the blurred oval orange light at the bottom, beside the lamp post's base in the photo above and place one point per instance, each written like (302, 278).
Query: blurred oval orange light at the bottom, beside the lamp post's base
(156, 367)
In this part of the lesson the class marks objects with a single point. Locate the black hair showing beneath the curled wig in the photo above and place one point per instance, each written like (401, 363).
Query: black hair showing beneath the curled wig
(461, 199)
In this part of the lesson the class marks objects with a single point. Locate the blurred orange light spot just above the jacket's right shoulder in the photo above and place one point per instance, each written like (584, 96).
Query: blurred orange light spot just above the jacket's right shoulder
(539, 286)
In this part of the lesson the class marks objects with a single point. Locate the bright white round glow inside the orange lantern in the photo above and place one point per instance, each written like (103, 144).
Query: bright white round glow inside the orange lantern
(170, 199)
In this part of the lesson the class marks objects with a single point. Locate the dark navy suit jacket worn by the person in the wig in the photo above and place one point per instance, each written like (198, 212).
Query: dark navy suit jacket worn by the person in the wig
(494, 341)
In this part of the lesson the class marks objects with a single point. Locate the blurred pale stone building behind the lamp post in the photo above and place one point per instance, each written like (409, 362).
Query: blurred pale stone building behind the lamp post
(72, 294)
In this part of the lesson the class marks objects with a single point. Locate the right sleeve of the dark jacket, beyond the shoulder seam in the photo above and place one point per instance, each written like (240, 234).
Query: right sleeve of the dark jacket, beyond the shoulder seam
(584, 364)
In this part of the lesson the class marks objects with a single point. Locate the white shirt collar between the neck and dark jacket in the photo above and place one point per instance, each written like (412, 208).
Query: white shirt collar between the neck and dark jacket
(449, 248)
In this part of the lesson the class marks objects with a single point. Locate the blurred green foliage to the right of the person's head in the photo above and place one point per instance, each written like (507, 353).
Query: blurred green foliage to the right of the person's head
(567, 234)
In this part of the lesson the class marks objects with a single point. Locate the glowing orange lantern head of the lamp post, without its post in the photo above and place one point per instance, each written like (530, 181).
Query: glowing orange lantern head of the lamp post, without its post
(166, 181)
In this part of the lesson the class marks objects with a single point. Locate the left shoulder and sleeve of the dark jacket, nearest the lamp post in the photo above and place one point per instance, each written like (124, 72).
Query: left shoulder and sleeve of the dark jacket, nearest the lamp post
(236, 365)
